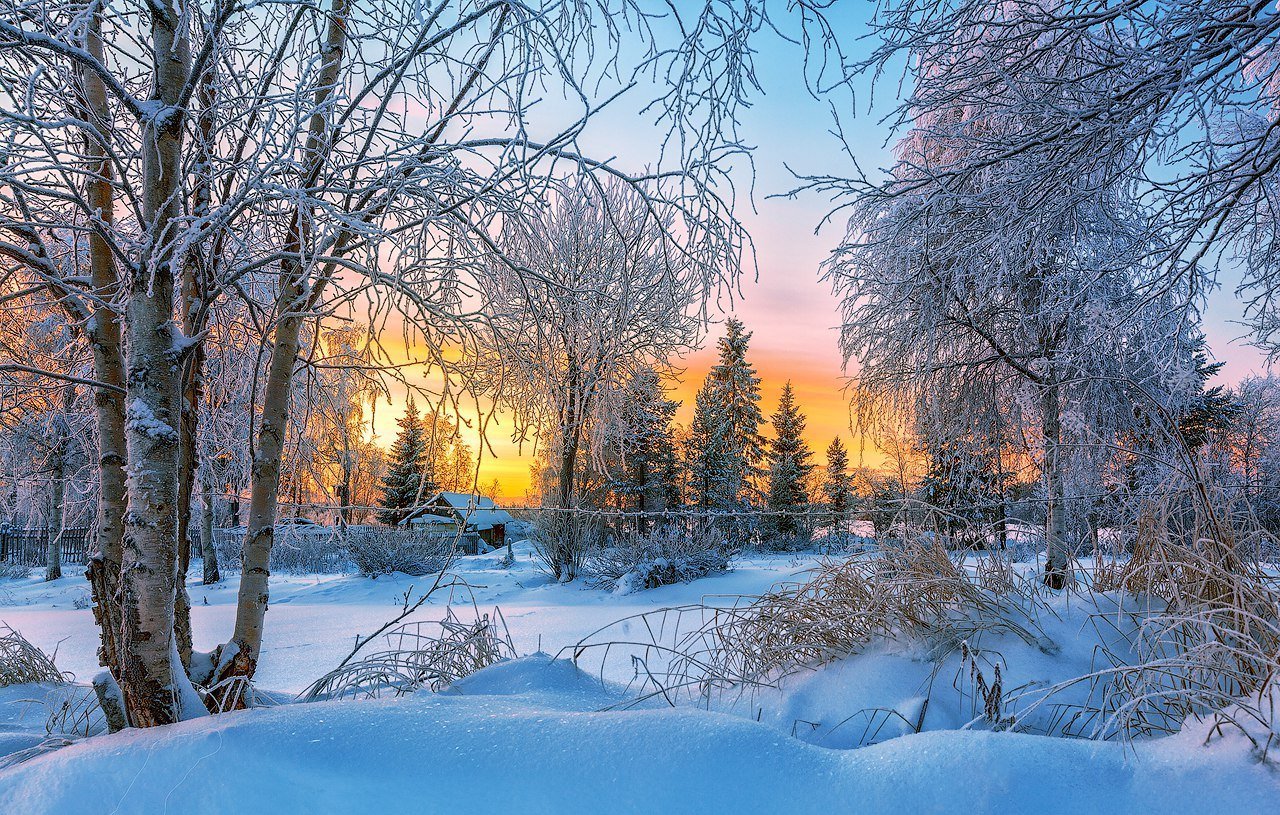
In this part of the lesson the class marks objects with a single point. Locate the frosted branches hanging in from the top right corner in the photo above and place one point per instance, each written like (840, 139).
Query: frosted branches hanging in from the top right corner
(1182, 94)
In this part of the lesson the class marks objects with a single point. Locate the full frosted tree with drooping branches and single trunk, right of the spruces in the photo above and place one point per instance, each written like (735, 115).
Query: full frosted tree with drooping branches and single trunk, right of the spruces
(953, 296)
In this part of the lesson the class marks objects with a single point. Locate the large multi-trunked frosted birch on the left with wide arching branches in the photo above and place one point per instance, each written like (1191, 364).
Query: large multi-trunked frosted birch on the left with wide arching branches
(310, 159)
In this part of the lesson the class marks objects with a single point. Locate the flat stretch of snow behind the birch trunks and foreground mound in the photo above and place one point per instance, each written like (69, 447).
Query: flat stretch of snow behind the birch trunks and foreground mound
(313, 620)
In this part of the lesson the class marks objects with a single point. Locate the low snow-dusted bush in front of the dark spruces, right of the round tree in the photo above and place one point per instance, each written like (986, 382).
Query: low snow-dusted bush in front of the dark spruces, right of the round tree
(665, 556)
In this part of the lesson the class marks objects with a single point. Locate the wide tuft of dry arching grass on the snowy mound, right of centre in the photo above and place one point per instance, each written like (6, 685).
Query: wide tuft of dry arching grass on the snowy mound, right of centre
(915, 593)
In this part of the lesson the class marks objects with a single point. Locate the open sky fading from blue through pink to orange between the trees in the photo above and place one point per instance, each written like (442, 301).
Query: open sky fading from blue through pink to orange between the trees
(792, 313)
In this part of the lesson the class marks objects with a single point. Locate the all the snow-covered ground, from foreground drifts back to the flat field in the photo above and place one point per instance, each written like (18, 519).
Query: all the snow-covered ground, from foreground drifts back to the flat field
(547, 736)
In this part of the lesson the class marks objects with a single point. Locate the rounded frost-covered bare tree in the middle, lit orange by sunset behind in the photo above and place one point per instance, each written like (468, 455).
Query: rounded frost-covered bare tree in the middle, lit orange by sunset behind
(609, 294)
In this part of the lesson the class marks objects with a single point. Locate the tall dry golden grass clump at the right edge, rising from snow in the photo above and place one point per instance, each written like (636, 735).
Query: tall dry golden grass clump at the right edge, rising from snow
(1208, 635)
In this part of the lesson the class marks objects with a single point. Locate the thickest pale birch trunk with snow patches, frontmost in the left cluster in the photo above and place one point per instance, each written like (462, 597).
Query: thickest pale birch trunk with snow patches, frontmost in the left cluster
(156, 686)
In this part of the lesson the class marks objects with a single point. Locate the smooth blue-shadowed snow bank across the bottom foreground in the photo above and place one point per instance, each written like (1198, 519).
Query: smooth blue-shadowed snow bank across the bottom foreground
(520, 738)
